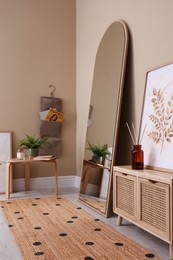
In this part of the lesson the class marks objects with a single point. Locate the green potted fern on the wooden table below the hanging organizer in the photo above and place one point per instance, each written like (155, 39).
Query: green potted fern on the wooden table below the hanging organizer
(32, 144)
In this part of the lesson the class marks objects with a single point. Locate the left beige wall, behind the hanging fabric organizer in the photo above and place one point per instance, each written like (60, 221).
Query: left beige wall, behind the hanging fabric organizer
(37, 48)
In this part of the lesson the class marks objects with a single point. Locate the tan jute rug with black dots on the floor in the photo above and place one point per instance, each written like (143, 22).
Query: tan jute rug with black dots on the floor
(54, 228)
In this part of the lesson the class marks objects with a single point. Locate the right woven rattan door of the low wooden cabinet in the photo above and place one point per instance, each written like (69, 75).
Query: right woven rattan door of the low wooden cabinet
(154, 207)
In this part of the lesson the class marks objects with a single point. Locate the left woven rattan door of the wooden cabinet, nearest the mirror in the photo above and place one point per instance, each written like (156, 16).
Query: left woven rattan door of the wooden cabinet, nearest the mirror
(125, 197)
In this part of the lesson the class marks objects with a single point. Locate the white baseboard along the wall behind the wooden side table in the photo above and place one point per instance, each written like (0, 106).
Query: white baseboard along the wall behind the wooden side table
(47, 183)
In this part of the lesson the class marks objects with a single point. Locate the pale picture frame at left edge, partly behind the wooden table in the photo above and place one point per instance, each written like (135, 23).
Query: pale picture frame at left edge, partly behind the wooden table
(5, 154)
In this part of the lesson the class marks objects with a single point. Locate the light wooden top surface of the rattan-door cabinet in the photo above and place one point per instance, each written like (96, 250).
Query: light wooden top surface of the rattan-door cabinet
(145, 173)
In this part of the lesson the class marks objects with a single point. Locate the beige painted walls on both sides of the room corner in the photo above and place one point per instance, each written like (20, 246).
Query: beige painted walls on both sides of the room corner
(37, 48)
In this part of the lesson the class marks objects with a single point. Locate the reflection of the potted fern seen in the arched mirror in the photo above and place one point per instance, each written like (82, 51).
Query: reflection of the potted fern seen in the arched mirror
(100, 153)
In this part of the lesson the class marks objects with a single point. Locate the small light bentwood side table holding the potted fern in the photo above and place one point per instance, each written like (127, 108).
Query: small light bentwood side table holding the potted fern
(27, 163)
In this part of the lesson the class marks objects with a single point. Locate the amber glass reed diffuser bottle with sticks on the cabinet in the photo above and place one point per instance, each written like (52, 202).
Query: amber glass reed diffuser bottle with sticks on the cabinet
(137, 152)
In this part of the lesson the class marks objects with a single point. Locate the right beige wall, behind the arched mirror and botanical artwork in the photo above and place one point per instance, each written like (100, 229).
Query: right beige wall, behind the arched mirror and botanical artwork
(151, 44)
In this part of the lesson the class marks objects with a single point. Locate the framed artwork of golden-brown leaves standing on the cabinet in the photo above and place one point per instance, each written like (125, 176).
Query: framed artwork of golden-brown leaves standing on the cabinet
(156, 127)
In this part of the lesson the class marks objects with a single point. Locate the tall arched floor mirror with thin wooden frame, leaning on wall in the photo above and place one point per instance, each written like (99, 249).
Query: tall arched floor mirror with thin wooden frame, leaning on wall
(104, 114)
